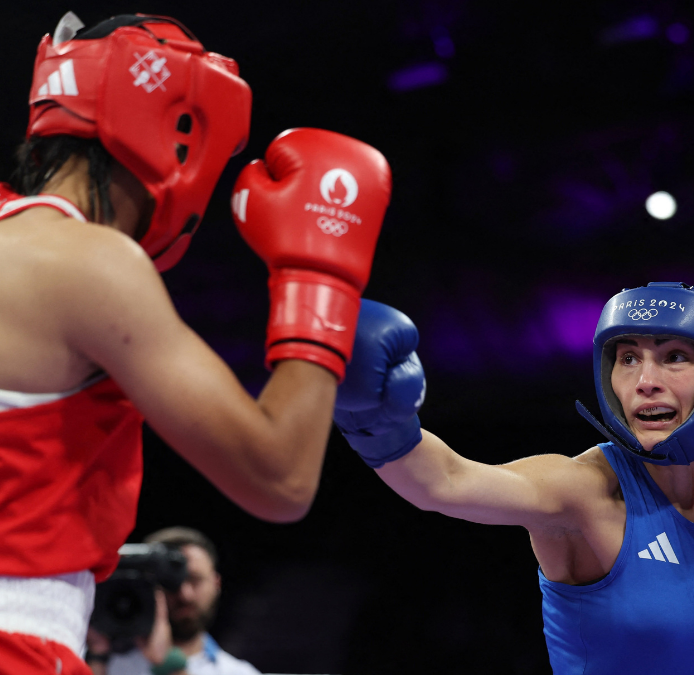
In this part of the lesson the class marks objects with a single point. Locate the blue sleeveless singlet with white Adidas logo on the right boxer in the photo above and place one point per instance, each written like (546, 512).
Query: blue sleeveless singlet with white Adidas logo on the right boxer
(639, 619)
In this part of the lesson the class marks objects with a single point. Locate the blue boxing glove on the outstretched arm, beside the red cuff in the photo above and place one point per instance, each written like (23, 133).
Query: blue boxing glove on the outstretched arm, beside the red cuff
(377, 404)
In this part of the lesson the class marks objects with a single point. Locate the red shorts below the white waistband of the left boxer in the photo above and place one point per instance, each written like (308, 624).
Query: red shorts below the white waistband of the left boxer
(29, 655)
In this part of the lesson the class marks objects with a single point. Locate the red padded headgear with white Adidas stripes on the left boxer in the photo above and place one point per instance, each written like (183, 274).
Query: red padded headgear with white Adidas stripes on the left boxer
(170, 112)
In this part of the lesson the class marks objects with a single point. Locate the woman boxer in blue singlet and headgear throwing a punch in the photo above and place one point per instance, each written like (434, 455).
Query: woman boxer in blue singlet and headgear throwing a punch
(613, 528)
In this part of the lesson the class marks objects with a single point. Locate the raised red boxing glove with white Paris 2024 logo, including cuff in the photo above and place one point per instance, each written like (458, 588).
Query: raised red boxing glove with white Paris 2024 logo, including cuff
(313, 211)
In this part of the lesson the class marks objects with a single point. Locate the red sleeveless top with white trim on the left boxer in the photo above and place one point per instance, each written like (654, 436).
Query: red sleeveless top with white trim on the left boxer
(70, 473)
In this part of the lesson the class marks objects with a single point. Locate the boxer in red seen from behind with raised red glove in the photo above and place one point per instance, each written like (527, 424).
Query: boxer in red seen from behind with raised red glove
(131, 124)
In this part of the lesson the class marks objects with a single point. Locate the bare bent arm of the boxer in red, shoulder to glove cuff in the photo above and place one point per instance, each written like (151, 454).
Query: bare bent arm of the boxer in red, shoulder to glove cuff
(265, 455)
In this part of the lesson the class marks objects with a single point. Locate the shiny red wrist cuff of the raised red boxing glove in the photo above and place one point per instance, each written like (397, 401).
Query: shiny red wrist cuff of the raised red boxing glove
(313, 316)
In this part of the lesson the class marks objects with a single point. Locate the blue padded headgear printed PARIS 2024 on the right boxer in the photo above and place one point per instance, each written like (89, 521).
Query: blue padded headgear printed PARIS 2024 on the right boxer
(661, 308)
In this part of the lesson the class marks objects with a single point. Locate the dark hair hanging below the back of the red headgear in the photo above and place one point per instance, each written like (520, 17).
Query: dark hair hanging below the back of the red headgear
(39, 158)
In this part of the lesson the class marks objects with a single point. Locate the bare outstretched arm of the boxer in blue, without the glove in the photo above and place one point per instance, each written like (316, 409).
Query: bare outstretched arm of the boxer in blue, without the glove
(534, 492)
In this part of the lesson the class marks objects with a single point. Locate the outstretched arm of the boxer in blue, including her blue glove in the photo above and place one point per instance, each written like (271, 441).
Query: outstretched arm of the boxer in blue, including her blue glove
(376, 412)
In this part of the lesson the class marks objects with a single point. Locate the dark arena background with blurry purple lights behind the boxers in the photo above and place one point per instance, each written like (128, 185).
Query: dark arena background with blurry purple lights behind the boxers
(524, 139)
